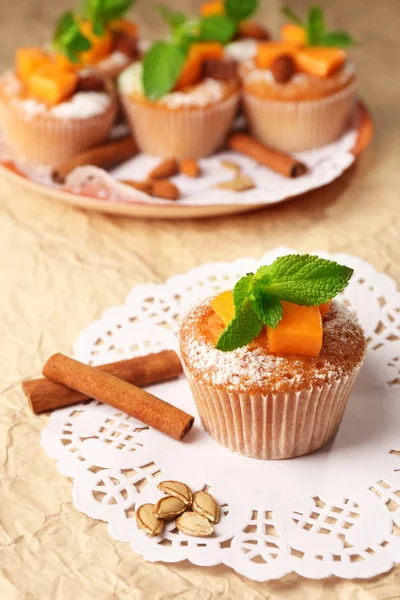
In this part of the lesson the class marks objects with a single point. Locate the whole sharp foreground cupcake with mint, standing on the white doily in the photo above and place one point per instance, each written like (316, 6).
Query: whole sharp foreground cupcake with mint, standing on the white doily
(271, 377)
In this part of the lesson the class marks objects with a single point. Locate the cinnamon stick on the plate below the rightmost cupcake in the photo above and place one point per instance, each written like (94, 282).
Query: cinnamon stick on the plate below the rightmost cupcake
(266, 155)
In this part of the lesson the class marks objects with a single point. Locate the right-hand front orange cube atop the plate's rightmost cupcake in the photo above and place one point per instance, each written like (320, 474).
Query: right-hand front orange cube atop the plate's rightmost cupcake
(319, 61)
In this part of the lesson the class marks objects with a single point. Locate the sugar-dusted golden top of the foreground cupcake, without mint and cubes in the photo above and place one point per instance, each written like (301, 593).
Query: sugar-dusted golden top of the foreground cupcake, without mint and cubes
(253, 369)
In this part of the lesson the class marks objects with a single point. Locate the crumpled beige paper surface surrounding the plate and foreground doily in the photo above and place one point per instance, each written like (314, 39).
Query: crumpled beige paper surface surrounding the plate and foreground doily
(61, 268)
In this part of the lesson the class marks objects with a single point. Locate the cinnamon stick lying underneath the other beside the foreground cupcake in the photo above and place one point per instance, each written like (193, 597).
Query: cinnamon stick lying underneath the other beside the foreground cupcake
(44, 394)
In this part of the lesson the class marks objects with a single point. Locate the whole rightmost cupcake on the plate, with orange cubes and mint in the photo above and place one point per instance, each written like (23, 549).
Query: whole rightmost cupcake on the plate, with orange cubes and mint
(299, 93)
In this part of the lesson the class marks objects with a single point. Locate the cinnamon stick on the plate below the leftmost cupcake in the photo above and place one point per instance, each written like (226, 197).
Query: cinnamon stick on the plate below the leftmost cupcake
(105, 156)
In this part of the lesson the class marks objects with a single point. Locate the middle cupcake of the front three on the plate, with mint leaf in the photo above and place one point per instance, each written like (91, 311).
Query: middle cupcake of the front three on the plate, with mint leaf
(190, 116)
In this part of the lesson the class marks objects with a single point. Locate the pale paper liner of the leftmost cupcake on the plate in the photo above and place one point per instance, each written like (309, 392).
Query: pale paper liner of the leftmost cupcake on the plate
(44, 141)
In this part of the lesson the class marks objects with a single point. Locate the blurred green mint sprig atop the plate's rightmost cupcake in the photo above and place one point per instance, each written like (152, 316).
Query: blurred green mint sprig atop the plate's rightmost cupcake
(315, 27)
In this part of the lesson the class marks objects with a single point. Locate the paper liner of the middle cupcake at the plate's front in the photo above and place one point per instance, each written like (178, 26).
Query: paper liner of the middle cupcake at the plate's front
(185, 132)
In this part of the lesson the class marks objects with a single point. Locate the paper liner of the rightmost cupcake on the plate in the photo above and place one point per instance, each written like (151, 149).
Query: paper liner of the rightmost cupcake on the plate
(302, 125)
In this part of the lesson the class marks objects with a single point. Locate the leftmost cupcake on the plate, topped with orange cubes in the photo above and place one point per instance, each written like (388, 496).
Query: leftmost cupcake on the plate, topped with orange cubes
(49, 113)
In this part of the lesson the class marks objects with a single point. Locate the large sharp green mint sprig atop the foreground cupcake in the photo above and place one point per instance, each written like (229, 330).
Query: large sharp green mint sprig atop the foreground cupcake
(300, 278)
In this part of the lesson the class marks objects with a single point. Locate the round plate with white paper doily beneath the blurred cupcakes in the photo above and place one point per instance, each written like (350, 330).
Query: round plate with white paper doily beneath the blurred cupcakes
(326, 165)
